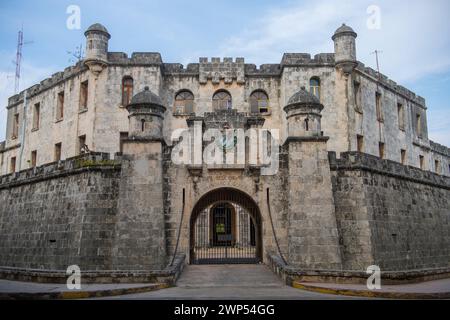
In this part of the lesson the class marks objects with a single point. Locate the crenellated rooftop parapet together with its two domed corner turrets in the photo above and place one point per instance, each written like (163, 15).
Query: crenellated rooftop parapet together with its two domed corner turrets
(216, 69)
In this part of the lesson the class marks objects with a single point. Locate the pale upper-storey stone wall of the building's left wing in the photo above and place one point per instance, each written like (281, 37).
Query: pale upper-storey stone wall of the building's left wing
(51, 130)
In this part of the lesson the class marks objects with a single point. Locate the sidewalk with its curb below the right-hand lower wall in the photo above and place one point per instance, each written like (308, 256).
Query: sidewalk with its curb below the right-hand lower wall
(438, 289)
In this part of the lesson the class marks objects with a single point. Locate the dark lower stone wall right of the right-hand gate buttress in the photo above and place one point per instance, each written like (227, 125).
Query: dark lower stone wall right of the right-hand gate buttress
(393, 216)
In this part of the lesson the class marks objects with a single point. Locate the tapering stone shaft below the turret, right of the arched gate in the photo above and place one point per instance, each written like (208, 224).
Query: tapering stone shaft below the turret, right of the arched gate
(312, 234)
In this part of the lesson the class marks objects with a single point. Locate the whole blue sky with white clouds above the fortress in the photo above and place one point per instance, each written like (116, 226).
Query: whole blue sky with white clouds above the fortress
(414, 37)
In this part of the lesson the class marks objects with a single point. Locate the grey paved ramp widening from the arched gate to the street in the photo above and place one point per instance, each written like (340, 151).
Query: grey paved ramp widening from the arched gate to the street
(229, 282)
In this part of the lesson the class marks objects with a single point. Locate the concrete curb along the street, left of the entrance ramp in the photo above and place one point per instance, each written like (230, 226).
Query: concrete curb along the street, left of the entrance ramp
(71, 295)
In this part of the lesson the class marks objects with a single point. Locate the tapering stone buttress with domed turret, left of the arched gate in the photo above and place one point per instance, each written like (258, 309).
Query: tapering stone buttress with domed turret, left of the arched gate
(140, 236)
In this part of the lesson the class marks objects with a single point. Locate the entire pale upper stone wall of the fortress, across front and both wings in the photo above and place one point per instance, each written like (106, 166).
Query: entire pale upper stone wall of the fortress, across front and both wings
(105, 118)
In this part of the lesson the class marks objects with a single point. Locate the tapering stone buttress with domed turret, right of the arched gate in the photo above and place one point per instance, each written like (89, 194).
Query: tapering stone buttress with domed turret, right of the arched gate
(313, 241)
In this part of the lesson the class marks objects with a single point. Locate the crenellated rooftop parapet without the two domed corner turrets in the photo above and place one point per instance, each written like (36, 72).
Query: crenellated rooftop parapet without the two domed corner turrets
(216, 69)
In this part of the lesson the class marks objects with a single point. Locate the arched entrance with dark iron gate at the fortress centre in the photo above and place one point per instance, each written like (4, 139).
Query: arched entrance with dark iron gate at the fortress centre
(225, 228)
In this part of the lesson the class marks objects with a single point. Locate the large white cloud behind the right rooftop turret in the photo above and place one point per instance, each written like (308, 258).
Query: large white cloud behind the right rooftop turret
(413, 35)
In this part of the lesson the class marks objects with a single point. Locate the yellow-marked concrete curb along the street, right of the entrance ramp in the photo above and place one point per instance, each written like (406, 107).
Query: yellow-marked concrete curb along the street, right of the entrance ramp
(372, 294)
